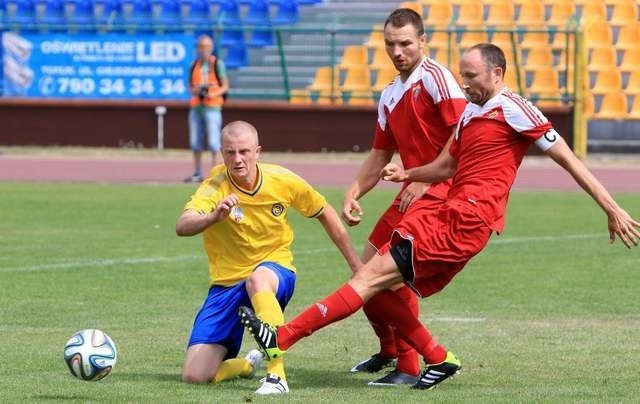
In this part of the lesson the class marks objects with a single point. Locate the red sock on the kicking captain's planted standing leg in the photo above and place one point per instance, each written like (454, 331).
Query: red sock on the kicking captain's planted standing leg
(409, 327)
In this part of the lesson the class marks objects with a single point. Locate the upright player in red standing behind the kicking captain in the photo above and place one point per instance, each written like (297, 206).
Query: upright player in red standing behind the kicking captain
(417, 113)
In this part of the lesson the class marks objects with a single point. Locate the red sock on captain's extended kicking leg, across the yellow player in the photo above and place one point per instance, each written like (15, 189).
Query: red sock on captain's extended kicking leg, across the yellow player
(338, 305)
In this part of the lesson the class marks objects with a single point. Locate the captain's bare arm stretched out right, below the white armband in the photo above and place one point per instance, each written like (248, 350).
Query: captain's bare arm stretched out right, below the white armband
(620, 223)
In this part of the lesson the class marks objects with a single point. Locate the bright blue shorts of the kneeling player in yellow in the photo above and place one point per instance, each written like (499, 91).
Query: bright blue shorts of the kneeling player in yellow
(218, 322)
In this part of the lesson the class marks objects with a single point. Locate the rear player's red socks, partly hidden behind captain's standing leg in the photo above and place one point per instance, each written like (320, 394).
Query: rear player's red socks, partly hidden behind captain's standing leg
(391, 345)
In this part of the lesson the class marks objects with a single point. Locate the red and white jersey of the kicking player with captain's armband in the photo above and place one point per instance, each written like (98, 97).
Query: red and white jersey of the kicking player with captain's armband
(489, 145)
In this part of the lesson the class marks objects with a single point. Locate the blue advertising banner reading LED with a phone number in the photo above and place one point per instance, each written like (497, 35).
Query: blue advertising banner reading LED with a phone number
(111, 66)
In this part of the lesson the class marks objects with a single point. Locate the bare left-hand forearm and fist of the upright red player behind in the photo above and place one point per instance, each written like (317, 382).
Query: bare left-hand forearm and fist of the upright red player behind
(366, 179)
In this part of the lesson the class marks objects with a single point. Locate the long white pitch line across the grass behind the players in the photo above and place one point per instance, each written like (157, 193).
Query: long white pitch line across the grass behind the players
(159, 259)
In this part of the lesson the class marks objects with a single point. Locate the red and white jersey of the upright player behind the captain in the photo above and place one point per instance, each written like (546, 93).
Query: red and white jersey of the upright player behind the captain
(417, 117)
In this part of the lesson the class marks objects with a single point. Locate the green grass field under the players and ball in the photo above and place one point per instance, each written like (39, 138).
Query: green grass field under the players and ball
(548, 312)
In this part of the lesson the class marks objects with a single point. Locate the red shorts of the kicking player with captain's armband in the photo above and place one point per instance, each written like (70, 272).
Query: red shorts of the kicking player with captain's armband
(443, 241)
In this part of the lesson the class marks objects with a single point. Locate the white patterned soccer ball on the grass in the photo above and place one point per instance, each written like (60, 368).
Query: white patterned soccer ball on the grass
(90, 354)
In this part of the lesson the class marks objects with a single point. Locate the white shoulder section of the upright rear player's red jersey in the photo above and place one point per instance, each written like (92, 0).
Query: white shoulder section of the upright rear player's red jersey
(436, 79)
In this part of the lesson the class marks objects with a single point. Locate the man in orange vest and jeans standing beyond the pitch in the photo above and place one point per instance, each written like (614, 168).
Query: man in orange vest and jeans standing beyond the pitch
(208, 85)
